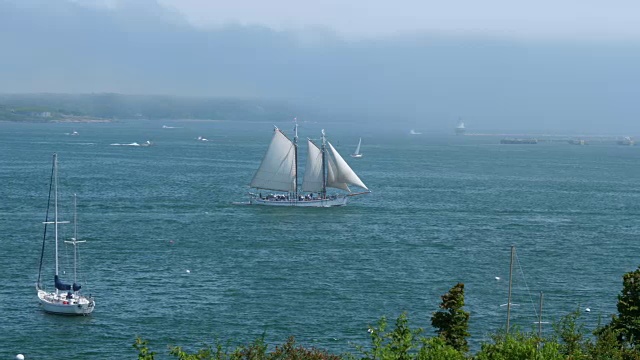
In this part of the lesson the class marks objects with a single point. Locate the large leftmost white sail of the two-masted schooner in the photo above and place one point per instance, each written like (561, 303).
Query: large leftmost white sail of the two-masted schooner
(278, 169)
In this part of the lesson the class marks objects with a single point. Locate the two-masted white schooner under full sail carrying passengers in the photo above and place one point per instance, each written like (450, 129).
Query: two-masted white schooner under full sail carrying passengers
(325, 168)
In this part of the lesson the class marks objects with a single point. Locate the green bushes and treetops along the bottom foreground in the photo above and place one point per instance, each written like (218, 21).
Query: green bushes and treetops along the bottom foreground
(618, 340)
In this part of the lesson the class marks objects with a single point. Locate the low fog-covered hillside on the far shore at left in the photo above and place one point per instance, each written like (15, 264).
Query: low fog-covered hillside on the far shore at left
(68, 107)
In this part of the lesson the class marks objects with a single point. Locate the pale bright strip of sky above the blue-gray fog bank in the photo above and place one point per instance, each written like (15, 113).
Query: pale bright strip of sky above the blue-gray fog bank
(544, 19)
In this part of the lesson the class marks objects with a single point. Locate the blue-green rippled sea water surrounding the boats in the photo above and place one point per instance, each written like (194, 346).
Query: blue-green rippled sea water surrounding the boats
(444, 209)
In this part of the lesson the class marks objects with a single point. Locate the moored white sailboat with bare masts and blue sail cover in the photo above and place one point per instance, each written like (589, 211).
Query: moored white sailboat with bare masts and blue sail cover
(65, 299)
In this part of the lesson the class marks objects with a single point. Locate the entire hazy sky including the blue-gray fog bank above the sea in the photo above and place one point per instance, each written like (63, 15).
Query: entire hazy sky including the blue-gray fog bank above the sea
(568, 66)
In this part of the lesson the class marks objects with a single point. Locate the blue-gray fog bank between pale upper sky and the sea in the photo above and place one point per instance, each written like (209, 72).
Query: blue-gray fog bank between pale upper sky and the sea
(495, 84)
